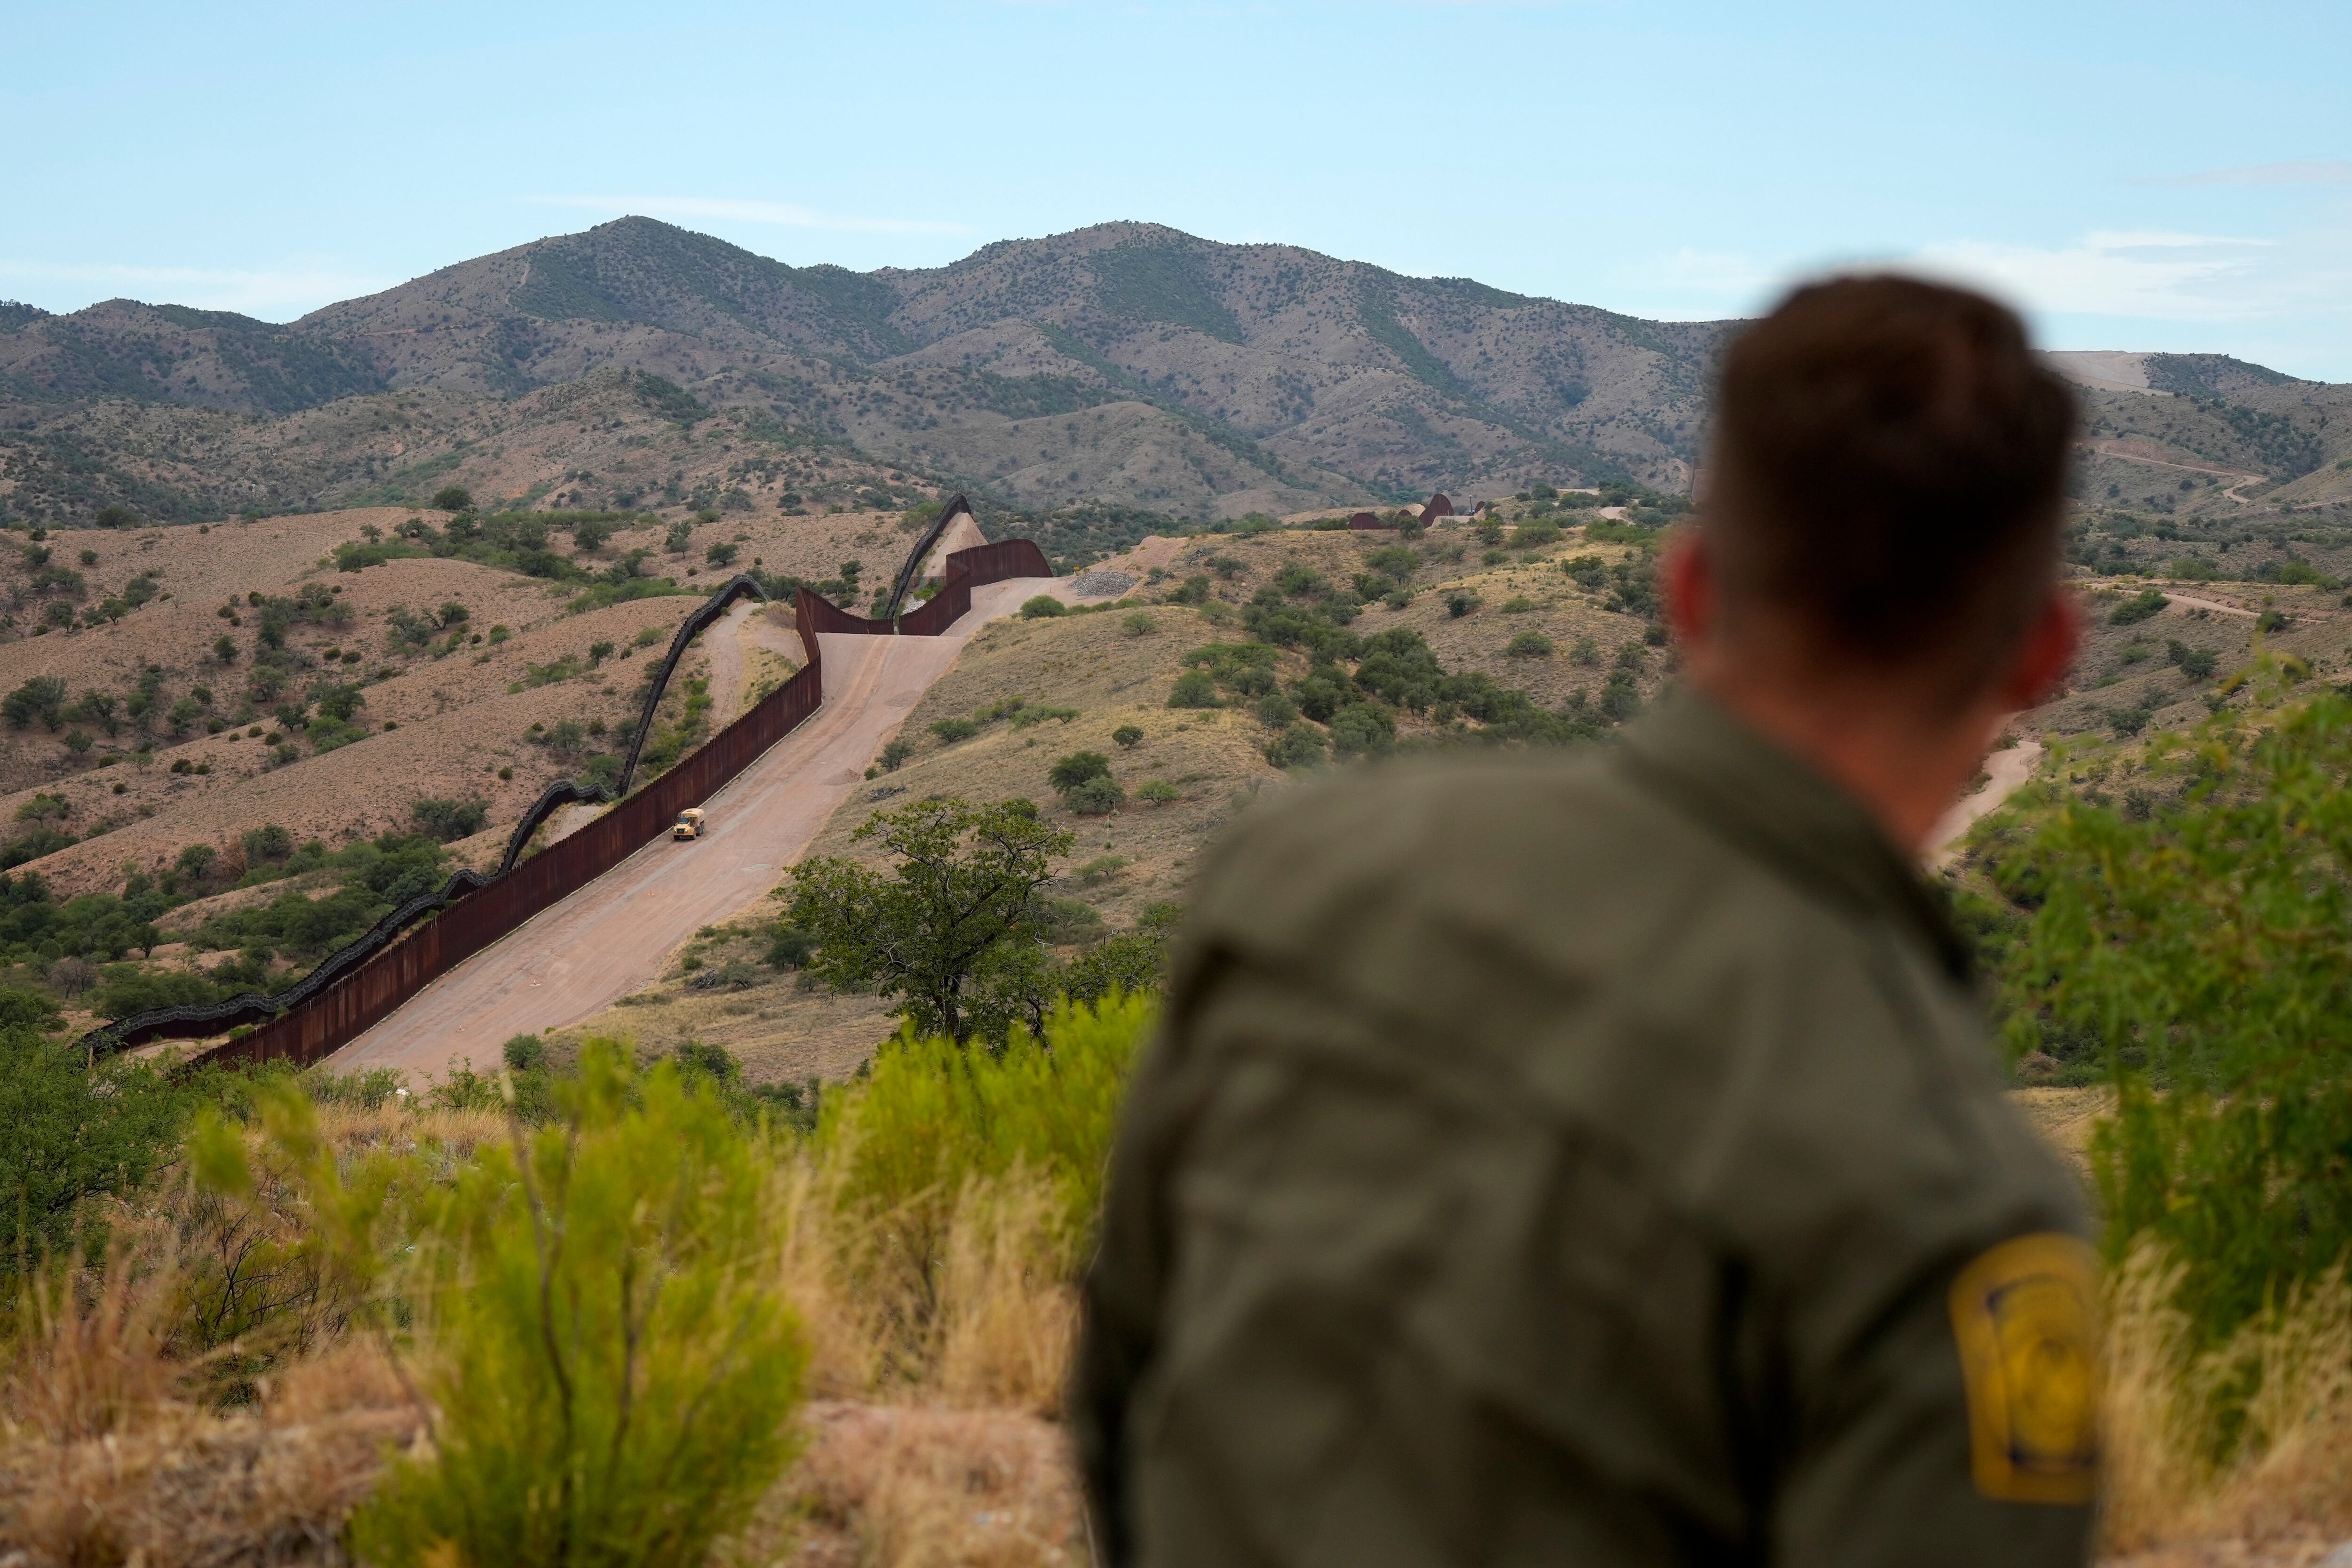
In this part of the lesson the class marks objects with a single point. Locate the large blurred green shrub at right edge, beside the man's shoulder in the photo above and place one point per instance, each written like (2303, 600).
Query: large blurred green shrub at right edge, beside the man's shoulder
(2210, 951)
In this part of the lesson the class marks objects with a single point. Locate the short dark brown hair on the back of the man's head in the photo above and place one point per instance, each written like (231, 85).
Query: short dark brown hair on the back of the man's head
(1887, 474)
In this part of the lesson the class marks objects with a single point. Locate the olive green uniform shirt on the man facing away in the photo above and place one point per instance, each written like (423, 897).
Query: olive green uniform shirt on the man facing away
(1572, 1162)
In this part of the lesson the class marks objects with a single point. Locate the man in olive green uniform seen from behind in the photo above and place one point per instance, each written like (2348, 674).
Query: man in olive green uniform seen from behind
(1601, 1160)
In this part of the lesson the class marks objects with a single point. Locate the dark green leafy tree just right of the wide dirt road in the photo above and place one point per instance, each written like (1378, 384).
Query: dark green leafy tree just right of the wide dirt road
(949, 925)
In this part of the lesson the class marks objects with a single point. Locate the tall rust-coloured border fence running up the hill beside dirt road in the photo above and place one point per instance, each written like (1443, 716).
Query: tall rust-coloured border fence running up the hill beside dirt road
(373, 989)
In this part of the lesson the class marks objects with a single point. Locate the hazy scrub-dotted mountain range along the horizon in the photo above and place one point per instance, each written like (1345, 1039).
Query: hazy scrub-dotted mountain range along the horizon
(1125, 363)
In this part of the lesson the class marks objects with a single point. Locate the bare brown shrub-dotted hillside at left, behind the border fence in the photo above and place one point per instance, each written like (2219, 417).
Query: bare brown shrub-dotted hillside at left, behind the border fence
(441, 723)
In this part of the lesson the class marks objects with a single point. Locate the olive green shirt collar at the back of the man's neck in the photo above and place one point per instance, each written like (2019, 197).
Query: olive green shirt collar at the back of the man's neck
(1784, 812)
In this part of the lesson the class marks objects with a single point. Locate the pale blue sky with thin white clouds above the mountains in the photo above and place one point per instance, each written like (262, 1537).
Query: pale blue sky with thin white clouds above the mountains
(2139, 175)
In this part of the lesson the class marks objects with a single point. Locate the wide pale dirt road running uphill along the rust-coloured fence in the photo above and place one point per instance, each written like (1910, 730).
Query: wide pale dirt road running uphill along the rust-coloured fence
(613, 937)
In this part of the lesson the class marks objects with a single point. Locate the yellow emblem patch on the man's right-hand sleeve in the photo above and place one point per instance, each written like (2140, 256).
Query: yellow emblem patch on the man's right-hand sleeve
(2026, 1318)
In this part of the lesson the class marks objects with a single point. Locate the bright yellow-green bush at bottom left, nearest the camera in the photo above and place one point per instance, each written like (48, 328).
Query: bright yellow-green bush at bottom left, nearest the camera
(615, 1372)
